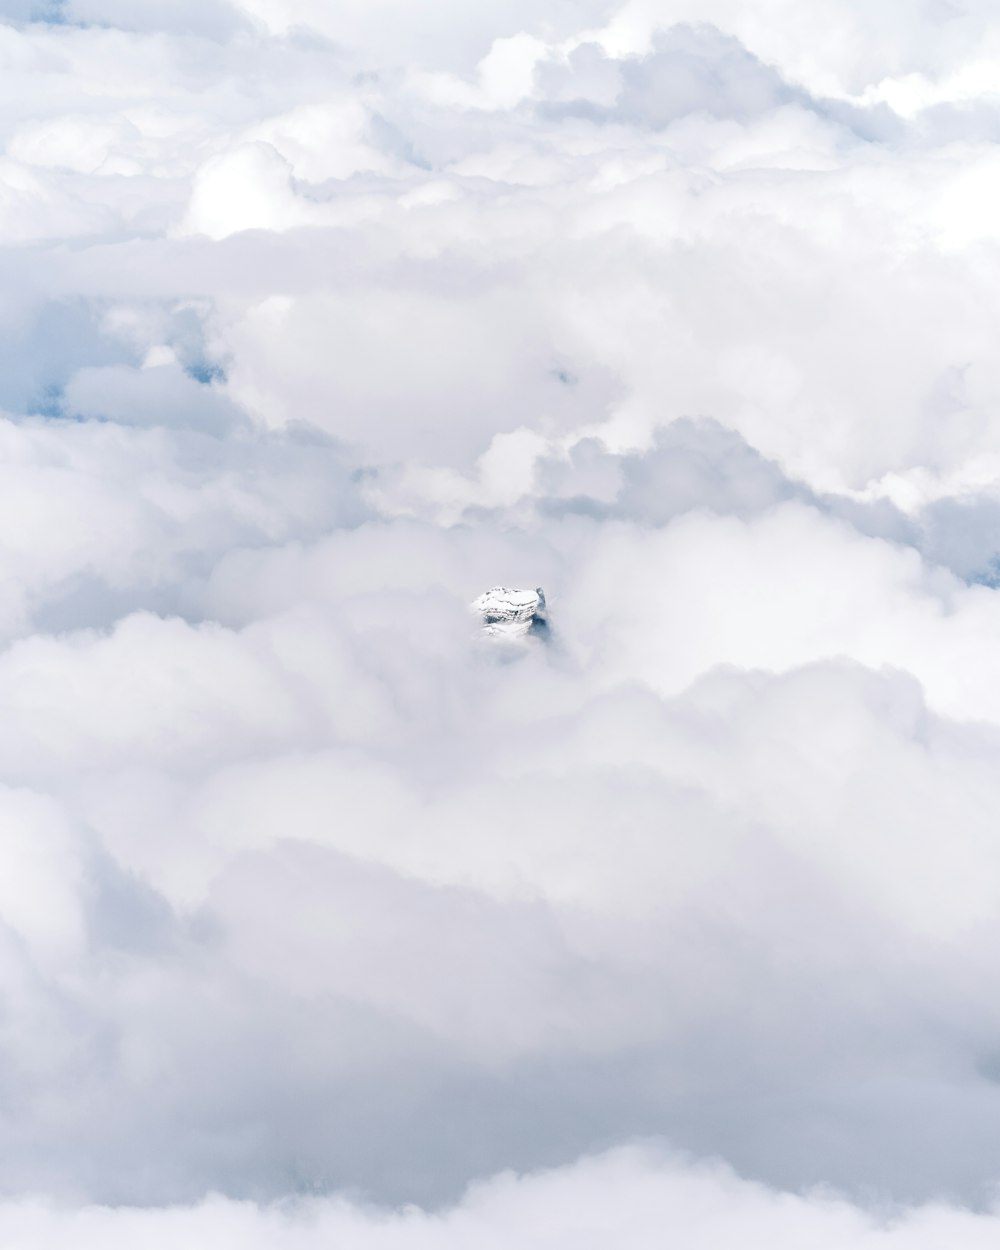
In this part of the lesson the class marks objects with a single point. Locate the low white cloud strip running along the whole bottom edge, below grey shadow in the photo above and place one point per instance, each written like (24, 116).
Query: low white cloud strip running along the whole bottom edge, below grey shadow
(629, 1197)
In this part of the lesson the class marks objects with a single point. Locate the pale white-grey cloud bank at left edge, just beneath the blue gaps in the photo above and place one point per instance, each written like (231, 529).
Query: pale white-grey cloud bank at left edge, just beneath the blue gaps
(133, 519)
